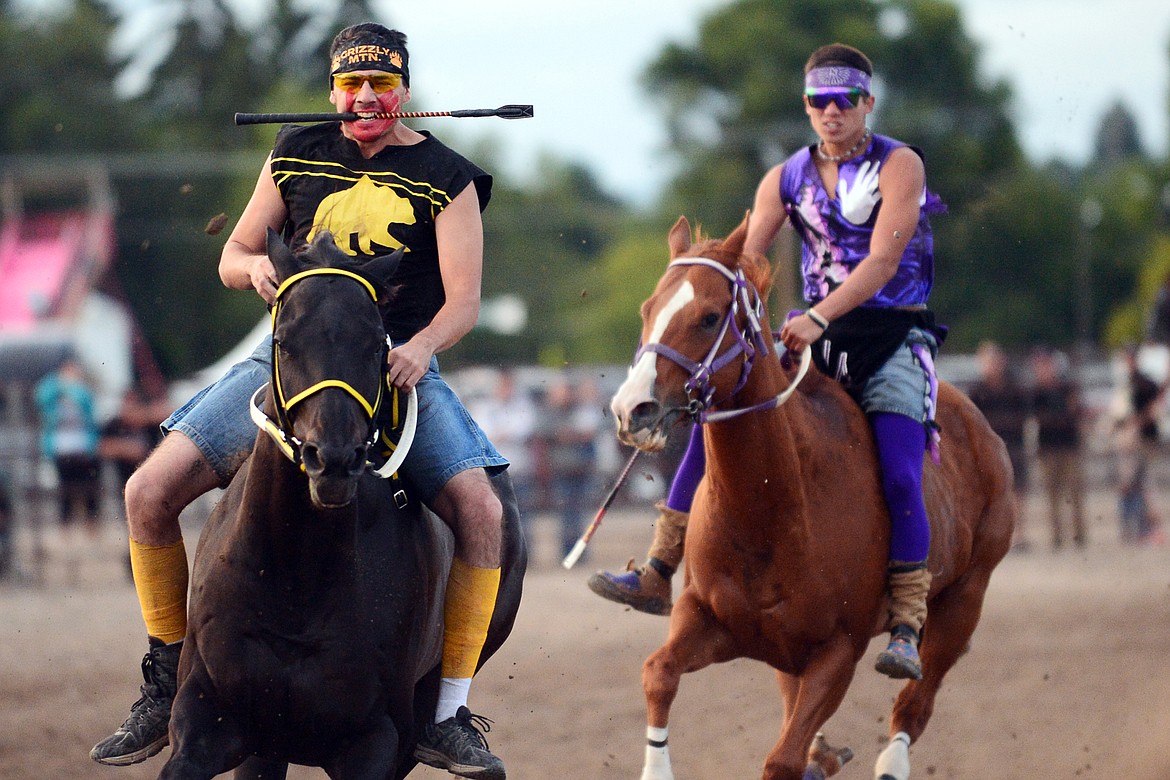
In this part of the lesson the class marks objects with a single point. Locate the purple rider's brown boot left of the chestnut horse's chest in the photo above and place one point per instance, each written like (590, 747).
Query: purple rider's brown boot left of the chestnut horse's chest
(648, 588)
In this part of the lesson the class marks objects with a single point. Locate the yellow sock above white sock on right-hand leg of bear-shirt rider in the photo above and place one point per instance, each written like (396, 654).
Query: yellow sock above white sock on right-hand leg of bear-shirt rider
(471, 600)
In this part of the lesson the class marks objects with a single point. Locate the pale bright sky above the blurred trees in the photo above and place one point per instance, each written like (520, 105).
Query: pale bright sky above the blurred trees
(579, 63)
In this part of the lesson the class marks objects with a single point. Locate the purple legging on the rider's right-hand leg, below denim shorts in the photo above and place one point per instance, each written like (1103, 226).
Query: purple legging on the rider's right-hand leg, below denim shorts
(901, 450)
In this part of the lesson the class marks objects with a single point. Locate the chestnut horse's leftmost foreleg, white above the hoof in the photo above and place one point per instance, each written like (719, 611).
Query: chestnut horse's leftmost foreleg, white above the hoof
(696, 641)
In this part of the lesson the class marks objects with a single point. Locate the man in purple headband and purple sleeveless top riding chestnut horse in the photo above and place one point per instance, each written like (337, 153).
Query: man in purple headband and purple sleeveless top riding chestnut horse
(861, 205)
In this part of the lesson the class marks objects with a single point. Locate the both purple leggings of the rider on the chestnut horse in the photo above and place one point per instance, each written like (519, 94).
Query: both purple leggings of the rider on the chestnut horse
(901, 448)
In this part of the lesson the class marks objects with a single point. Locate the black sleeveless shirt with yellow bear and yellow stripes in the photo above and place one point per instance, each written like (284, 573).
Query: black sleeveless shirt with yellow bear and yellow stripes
(376, 206)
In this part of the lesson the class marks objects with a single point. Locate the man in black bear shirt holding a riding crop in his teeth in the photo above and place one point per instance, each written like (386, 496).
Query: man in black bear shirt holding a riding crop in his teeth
(376, 185)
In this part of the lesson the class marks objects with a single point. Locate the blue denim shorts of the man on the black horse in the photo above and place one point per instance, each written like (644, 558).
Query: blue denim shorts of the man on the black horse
(448, 440)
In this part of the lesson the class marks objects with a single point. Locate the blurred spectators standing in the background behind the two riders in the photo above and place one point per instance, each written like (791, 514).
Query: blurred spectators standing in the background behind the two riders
(556, 431)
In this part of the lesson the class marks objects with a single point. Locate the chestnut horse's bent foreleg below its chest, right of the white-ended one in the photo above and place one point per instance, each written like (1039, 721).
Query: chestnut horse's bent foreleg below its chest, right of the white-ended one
(810, 700)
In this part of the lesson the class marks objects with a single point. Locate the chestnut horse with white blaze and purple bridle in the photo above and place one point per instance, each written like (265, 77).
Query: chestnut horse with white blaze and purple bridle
(788, 542)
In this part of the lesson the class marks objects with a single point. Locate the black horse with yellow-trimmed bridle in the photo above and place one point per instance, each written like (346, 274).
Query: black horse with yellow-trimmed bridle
(316, 610)
